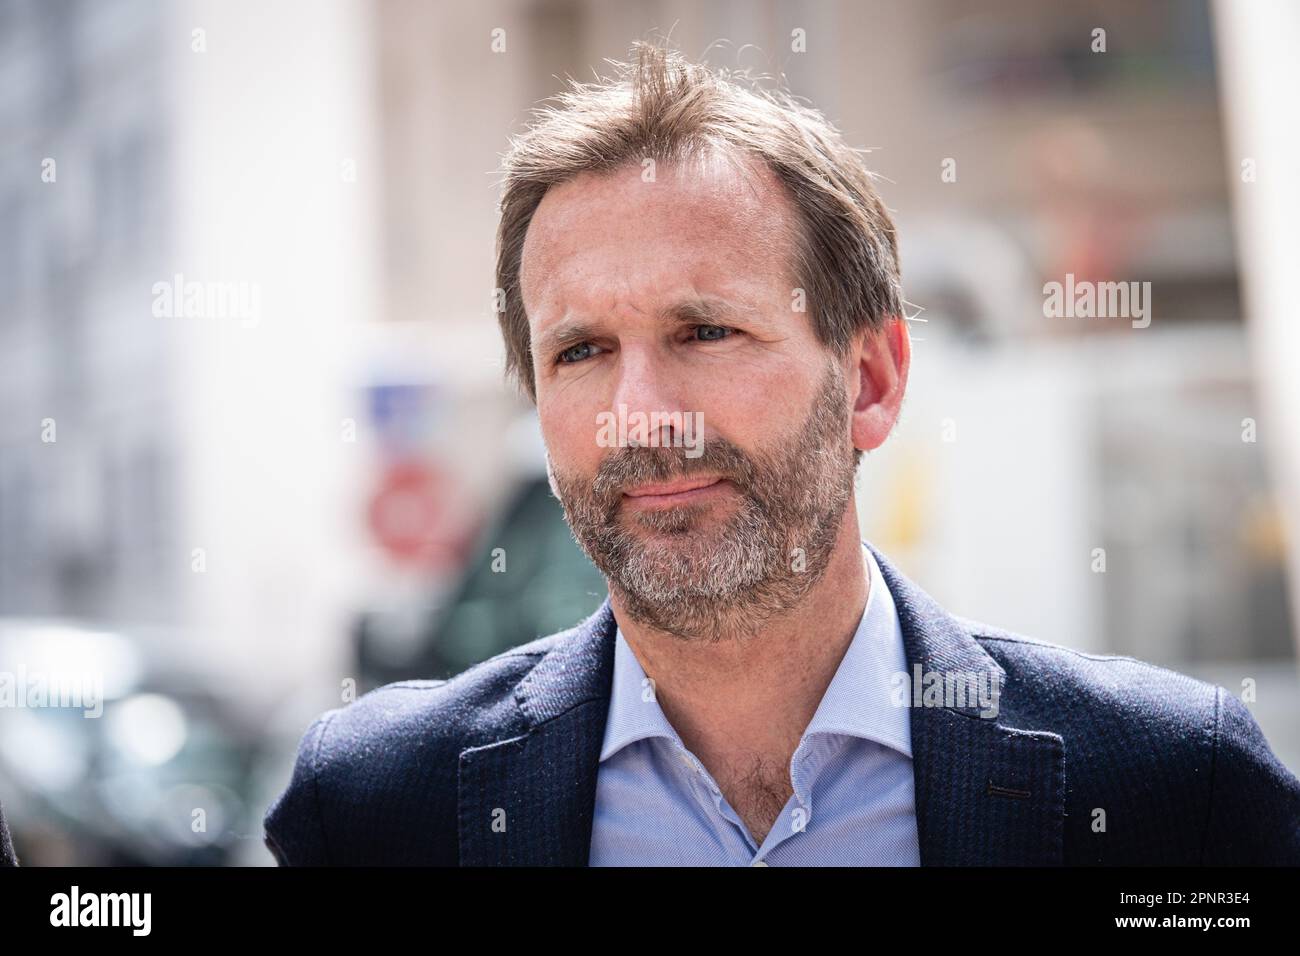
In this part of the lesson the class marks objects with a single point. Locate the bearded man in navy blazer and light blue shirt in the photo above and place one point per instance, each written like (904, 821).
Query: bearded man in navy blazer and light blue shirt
(761, 687)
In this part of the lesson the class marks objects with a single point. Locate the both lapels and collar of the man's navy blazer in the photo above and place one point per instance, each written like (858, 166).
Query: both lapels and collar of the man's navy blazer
(987, 793)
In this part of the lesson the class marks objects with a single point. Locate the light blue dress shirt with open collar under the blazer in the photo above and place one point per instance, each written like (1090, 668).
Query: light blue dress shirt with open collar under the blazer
(853, 803)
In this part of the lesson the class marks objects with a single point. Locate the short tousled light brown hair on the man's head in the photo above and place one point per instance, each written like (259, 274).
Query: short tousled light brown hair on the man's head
(664, 107)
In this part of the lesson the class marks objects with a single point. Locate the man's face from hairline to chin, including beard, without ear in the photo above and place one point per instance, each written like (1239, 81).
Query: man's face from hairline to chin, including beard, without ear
(619, 276)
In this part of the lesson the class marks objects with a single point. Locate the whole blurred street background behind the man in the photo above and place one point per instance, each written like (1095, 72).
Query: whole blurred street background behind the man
(257, 451)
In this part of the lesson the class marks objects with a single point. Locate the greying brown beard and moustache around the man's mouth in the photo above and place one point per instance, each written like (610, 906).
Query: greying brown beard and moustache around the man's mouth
(729, 581)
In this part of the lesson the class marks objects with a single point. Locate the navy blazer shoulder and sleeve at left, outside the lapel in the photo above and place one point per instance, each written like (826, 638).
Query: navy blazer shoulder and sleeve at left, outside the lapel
(375, 781)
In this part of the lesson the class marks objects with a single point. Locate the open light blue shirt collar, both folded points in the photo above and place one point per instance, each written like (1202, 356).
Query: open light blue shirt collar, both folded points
(857, 703)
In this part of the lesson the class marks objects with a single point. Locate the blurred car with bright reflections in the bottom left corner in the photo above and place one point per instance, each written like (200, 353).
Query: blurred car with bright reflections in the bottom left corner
(110, 760)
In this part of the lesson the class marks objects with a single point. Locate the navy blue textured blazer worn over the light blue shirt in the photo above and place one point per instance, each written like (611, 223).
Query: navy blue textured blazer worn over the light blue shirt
(1091, 760)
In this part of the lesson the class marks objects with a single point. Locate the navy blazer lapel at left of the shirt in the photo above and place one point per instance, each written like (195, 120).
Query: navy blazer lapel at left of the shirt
(530, 801)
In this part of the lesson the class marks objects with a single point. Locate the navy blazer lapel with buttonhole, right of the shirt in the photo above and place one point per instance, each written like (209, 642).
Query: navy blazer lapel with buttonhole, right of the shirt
(987, 793)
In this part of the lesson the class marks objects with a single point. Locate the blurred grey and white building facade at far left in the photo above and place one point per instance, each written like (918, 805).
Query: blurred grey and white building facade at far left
(155, 449)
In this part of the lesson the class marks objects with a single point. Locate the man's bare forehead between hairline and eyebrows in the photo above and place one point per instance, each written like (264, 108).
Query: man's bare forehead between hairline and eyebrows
(713, 224)
